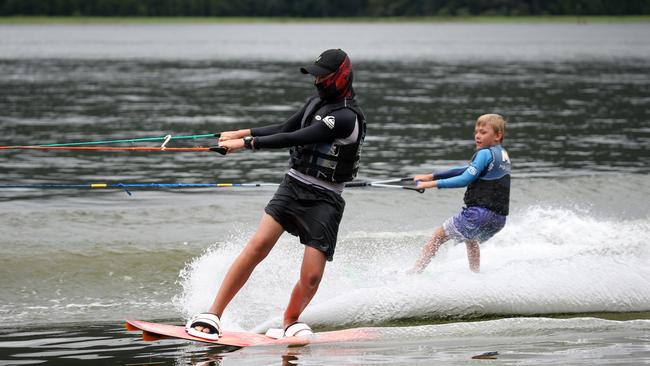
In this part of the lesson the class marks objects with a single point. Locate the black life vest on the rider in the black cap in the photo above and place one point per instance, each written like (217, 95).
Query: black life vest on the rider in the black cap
(332, 162)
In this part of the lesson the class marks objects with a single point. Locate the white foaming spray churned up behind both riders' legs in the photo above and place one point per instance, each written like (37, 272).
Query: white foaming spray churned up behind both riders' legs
(545, 261)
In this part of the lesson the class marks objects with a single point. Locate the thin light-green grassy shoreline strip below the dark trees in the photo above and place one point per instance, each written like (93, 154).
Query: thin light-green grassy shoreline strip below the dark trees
(274, 20)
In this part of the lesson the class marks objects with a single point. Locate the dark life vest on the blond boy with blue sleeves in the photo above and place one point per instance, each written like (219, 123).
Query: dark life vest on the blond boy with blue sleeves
(492, 188)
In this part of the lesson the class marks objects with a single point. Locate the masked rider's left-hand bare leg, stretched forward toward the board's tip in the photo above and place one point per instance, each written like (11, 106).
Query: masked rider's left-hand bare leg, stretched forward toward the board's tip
(258, 247)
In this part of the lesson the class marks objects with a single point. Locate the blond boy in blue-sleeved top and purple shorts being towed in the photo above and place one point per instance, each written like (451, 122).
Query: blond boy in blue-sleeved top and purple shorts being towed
(487, 178)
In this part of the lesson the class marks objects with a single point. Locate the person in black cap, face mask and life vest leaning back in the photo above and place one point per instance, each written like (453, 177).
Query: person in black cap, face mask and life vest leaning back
(325, 137)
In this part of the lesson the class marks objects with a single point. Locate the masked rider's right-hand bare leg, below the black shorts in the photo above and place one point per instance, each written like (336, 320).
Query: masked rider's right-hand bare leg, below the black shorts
(311, 272)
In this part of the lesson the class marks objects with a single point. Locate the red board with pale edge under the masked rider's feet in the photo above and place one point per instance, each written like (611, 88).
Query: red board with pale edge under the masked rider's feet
(156, 331)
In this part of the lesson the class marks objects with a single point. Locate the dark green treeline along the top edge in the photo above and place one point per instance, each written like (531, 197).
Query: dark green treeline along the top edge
(321, 8)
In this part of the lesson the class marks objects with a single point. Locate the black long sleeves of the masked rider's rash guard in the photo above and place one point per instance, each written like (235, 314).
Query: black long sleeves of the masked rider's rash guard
(290, 133)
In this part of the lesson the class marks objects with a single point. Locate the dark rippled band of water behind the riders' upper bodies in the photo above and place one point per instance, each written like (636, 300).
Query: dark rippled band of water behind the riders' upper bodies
(564, 118)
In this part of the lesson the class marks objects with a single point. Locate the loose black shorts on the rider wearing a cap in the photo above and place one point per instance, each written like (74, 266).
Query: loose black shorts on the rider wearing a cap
(313, 214)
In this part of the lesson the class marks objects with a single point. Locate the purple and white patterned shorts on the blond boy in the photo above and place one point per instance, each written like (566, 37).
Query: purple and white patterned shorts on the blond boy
(474, 223)
